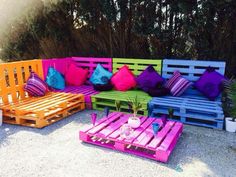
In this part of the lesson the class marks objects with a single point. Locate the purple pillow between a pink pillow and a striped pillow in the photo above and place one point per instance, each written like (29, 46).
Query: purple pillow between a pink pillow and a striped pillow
(149, 78)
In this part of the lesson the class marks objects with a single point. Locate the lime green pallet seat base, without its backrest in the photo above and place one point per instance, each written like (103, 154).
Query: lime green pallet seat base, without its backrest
(109, 99)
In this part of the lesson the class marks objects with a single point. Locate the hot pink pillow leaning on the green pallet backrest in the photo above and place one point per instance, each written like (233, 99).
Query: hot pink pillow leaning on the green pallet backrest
(123, 79)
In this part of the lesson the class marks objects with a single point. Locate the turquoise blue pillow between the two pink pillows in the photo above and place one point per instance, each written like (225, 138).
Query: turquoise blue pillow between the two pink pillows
(100, 75)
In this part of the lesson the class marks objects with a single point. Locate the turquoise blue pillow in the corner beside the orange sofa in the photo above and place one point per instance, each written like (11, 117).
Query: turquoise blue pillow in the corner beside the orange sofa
(55, 79)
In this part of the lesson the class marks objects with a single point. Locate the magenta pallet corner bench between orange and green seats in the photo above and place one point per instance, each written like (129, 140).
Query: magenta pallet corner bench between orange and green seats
(62, 64)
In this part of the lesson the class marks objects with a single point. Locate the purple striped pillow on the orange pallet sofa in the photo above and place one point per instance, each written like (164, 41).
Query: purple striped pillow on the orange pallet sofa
(35, 86)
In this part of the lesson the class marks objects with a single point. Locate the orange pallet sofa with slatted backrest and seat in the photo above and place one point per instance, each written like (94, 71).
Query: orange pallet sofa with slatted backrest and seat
(21, 109)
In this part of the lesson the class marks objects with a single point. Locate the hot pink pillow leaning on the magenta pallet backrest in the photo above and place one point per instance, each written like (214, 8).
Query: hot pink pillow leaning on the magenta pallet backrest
(75, 75)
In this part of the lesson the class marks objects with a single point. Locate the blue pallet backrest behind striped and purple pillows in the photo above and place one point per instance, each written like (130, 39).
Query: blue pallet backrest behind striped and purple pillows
(191, 70)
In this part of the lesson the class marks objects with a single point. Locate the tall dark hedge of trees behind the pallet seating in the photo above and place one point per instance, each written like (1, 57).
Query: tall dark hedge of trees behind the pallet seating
(203, 29)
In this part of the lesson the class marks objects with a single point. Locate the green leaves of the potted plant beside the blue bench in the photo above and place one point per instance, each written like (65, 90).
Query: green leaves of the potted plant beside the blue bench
(230, 88)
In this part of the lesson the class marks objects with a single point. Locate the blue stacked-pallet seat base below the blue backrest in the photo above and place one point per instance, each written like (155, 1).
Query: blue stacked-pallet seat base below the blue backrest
(189, 111)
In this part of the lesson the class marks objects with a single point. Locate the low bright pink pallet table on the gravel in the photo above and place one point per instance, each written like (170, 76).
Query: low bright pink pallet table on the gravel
(106, 133)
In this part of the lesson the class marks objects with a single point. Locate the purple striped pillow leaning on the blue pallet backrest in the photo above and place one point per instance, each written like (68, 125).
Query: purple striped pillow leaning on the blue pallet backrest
(177, 84)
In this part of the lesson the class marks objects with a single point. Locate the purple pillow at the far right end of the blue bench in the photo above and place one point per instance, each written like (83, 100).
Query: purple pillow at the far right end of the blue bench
(210, 83)
